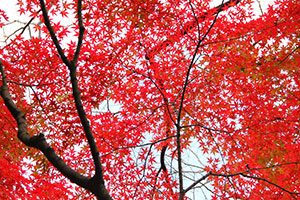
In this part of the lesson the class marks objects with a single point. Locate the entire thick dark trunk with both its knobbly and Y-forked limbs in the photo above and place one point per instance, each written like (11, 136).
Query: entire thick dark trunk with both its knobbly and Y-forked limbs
(94, 184)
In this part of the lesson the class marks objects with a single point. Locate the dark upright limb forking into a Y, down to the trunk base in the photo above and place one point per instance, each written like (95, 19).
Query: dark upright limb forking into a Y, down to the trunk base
(96, 185)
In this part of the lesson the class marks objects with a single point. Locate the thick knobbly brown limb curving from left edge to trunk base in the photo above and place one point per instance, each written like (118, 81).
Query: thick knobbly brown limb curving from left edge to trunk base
(94, 184)
